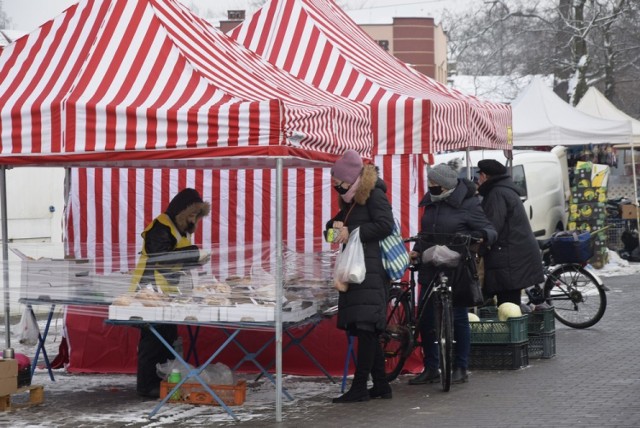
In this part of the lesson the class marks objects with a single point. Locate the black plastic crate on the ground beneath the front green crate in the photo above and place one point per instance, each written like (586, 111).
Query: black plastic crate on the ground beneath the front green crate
(499, 357)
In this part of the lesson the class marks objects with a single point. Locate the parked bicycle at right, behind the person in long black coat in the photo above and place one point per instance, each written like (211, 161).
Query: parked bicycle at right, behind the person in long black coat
(577, 295)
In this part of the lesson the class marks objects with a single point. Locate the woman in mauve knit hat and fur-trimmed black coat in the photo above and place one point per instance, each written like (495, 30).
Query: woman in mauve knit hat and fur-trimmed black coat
(362, 308)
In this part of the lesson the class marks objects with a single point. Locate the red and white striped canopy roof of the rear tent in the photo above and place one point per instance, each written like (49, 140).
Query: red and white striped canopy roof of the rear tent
(317, 42)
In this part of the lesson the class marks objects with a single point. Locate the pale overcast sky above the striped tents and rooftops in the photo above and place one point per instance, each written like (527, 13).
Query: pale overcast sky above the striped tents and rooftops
(26, 15)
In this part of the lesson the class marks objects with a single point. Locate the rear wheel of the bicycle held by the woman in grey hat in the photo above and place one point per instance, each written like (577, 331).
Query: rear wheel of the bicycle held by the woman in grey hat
(396, 340)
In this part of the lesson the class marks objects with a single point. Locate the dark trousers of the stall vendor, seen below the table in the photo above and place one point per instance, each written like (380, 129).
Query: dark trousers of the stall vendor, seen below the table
(151, 352)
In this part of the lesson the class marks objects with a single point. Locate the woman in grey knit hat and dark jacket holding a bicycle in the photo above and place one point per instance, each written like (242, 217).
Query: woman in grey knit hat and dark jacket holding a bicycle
(451, 206)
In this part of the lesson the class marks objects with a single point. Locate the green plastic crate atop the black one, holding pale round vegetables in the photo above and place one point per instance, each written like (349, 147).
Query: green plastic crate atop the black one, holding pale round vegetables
(513, 330)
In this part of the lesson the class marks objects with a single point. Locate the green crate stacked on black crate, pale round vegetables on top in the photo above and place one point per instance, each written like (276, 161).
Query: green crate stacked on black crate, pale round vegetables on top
(499, 345)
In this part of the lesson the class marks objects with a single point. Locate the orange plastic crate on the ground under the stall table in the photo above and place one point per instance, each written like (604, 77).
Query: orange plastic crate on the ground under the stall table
(195, 393)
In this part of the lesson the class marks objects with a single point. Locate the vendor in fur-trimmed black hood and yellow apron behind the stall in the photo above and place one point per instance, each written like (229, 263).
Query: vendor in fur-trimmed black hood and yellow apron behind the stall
(166, 252)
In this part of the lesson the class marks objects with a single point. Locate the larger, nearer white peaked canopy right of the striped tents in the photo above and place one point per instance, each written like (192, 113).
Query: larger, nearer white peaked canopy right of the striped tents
(541, 118)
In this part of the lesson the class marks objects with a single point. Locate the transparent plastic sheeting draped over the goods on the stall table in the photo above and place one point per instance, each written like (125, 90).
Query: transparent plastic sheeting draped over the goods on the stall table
(235, 286)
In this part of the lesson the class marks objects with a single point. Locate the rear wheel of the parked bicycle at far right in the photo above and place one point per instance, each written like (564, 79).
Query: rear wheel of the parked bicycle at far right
(579, 300)
